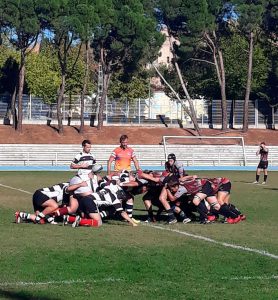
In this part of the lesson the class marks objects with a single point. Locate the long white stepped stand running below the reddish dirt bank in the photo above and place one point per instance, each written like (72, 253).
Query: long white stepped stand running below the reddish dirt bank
(148, 155)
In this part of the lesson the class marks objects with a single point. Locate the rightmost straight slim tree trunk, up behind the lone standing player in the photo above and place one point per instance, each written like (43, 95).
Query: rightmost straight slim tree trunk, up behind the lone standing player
(248, 83)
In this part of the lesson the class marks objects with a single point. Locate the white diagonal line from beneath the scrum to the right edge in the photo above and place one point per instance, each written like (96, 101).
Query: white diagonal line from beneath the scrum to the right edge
(200, 237)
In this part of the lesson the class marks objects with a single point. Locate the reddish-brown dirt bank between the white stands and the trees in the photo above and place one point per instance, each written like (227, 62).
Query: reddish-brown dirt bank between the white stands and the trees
(43, 134)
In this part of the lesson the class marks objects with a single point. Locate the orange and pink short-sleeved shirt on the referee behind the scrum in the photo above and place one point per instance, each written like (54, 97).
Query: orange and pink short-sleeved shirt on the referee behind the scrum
(123, 158)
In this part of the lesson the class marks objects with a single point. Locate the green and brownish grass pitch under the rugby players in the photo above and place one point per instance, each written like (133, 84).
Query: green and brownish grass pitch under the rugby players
(117, 261)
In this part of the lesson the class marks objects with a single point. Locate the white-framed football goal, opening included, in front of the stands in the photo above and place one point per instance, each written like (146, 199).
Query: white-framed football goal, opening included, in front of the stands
(219, 148)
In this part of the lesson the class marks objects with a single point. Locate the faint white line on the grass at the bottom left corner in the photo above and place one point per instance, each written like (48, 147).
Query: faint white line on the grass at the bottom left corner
(54, 282)
